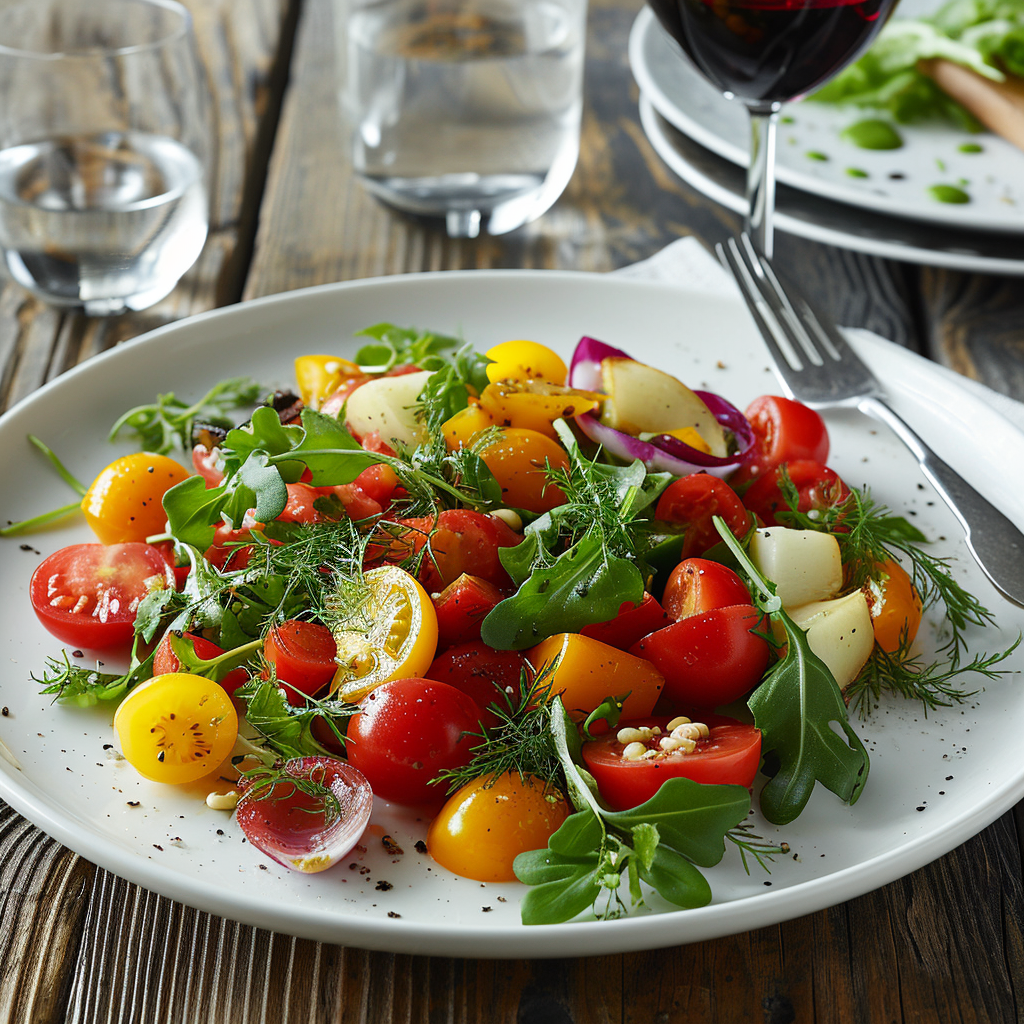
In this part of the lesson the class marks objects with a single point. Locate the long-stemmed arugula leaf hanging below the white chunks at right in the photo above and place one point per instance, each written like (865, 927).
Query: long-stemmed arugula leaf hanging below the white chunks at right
(794, 708)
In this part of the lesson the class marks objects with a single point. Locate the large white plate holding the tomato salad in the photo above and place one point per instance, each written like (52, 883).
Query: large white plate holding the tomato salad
(934, 782)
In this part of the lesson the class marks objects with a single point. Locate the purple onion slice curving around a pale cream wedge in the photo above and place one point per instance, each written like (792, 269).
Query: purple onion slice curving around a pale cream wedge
(663, 453)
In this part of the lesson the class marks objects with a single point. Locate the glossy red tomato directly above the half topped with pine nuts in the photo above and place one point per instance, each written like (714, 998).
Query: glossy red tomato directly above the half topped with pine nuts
(711, 659)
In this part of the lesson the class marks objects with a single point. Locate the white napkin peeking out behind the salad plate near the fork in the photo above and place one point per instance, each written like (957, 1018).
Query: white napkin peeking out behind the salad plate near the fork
(688, 261)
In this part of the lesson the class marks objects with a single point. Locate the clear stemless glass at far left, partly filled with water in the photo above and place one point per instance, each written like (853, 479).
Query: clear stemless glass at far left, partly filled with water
(105, 145)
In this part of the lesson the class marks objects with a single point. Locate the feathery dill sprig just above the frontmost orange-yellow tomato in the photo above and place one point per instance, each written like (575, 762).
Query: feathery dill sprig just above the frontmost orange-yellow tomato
(521, 743)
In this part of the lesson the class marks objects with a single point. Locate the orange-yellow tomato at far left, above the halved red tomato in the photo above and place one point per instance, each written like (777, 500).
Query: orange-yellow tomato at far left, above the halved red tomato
(123, 503)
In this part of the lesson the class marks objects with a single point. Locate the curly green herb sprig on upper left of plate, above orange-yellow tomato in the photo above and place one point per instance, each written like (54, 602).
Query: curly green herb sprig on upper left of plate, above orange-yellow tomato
(167, 423)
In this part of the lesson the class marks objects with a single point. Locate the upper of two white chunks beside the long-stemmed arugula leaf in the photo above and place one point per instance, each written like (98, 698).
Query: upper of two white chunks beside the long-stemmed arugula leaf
(804, 565)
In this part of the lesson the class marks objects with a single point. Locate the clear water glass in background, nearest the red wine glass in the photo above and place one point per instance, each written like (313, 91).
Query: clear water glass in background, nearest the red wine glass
(465, 110)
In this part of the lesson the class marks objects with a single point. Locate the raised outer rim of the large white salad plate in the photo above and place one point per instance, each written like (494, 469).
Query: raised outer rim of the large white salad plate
(480, 942)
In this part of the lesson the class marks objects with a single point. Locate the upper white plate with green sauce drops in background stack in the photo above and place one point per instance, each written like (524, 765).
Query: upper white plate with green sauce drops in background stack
(813, 155)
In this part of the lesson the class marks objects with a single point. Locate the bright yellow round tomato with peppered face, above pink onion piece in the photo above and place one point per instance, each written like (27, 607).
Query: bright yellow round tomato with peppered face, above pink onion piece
(177, 728)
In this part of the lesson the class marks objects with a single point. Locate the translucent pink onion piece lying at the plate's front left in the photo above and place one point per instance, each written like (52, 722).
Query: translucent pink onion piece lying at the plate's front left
(294, 828)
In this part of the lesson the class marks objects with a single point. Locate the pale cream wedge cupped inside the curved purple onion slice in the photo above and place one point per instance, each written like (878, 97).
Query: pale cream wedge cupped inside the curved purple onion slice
(643, 400)
